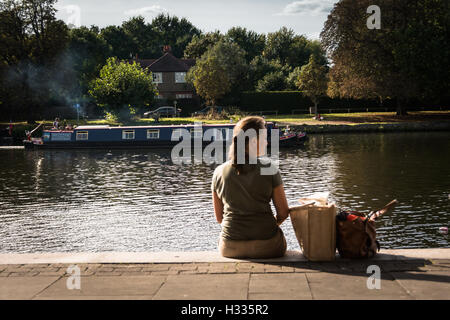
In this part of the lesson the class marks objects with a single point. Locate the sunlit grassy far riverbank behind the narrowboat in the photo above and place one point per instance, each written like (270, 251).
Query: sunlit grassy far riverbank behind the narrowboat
(331, 123)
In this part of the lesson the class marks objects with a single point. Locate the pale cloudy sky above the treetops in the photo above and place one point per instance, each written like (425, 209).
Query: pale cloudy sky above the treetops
(263, 16)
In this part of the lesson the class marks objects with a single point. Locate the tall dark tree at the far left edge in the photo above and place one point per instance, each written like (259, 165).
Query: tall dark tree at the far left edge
(31, 43)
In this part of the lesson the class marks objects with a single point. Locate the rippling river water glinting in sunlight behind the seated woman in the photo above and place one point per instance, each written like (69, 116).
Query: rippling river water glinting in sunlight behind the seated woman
(138, 200)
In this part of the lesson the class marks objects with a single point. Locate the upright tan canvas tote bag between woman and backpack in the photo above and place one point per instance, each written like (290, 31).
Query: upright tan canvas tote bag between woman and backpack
(315, 228)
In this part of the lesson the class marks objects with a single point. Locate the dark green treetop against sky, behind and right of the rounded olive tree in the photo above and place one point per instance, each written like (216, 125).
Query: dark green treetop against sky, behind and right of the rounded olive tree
(251, 42)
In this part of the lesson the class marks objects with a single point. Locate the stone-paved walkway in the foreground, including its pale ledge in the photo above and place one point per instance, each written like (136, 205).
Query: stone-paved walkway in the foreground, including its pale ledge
(405, 274)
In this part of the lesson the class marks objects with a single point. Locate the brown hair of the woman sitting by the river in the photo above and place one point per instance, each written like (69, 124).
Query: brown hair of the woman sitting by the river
(247, 123)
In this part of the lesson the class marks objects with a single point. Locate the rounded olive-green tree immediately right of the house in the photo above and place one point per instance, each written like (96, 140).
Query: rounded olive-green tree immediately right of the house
(210, 79)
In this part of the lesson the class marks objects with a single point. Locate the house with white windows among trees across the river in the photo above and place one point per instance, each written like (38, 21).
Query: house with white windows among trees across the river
(169, 74)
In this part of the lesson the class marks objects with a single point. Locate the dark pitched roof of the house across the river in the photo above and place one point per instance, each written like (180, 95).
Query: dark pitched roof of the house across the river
(167, 63)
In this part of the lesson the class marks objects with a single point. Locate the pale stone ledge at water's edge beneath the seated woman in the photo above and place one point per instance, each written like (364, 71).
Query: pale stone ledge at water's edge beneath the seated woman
(200, 256)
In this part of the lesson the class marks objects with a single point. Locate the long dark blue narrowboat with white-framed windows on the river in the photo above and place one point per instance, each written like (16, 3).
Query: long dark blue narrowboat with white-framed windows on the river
(105, 136)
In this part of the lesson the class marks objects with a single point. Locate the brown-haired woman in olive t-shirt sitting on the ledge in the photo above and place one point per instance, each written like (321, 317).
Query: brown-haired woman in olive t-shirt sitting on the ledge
(242, 193)
